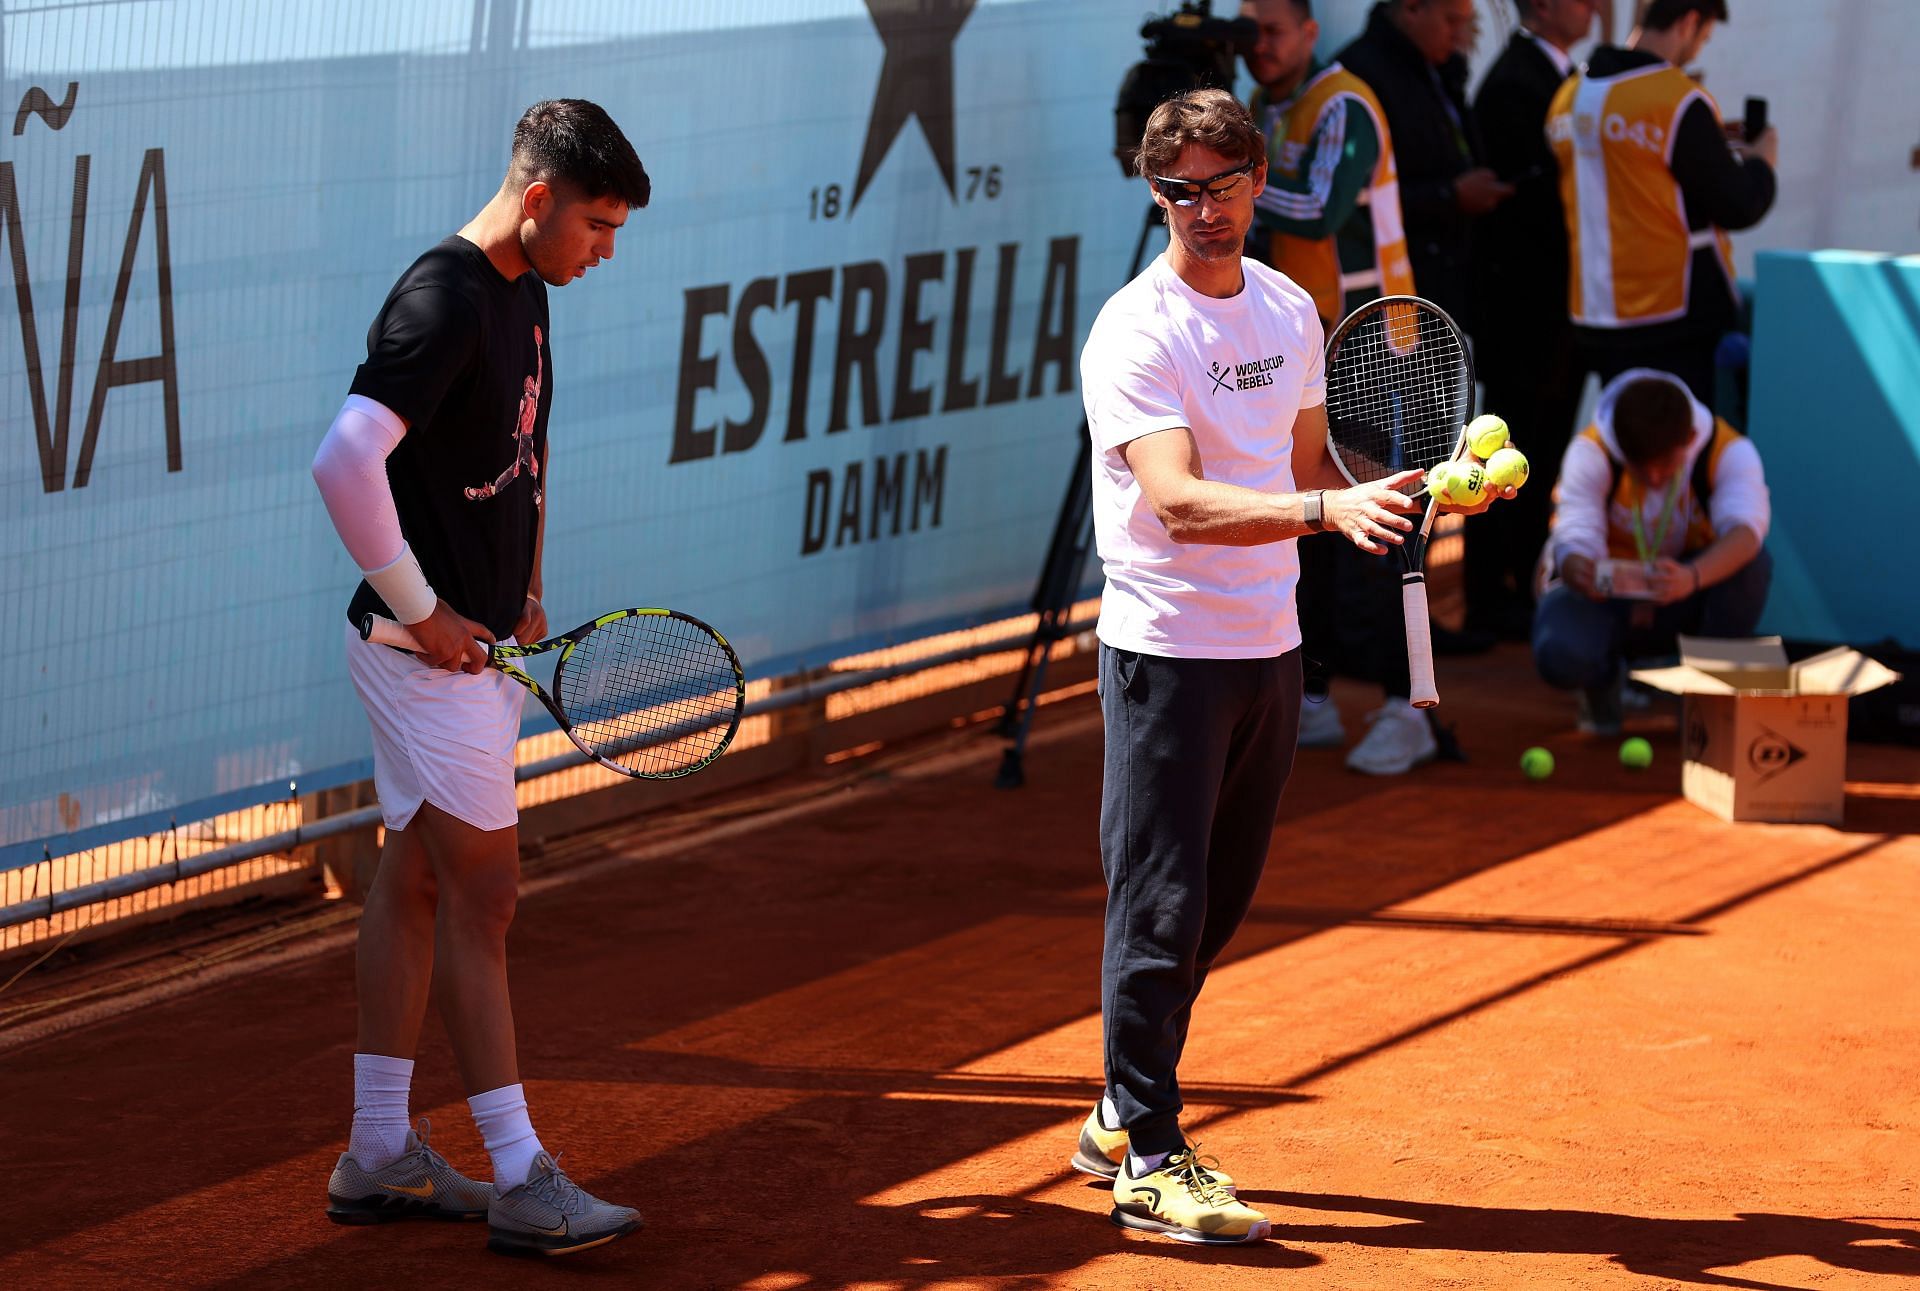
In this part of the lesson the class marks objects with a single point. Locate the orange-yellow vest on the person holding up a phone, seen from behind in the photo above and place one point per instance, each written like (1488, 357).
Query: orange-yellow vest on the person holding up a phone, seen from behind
(1631, 253)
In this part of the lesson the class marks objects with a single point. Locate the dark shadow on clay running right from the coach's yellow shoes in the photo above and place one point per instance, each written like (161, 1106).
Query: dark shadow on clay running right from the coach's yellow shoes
(1658, 1248)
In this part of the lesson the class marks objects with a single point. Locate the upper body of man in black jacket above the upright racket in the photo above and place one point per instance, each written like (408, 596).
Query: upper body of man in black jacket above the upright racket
(1408, 55)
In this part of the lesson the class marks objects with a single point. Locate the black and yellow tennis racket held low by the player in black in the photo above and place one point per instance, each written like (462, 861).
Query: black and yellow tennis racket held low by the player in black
(648, 693)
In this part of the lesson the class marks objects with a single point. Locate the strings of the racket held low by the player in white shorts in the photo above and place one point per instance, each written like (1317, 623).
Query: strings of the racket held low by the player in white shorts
(652, 693)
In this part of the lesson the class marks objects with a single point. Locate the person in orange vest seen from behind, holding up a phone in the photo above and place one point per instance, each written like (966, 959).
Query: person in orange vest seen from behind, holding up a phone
(1652, 183)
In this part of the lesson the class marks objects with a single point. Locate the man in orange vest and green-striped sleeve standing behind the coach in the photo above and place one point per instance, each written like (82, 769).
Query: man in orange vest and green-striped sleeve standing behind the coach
(1330, 220)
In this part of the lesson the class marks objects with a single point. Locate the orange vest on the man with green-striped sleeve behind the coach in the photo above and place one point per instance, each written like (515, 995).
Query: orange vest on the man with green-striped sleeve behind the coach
(1316, 262)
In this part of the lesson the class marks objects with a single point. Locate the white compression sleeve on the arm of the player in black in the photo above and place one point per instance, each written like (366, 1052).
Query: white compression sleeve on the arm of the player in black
(350, 470)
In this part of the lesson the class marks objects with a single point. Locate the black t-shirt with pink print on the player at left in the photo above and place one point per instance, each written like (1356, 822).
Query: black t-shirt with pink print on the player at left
(464, 356)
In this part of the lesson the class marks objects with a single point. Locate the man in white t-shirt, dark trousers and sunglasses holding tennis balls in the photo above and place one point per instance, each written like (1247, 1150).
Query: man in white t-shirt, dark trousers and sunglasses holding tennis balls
(1207, 402)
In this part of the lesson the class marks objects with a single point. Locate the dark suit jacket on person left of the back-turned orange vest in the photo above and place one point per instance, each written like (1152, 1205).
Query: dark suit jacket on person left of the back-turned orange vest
(1520, 251)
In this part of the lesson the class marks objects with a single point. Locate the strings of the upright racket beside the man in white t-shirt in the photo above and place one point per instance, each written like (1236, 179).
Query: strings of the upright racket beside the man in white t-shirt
(1399, 389)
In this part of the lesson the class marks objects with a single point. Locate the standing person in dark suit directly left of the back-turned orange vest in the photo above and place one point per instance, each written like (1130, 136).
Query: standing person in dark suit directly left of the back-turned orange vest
(1520, 274)
